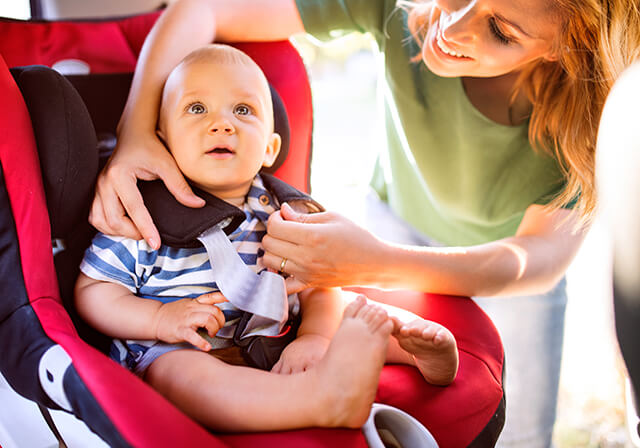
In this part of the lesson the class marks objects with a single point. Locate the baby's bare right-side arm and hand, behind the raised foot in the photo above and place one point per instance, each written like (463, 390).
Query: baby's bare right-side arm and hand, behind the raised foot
(321, 314)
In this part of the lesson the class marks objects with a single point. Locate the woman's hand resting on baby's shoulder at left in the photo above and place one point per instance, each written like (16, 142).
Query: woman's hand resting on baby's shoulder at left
(118, 208)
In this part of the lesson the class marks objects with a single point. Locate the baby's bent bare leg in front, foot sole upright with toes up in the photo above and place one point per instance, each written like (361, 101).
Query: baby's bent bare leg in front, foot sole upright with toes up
(338, 391)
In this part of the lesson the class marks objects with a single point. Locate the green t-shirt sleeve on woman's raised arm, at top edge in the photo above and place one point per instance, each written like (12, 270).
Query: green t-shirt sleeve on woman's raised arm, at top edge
(329, 19)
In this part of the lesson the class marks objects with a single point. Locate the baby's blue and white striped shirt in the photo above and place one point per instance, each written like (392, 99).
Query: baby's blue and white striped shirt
(169, 273)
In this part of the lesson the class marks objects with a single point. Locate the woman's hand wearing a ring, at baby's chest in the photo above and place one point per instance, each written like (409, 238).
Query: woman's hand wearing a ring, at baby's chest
(321, 249)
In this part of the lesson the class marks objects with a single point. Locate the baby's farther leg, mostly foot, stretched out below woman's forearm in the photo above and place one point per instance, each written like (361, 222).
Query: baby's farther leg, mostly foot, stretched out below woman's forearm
(422, 343)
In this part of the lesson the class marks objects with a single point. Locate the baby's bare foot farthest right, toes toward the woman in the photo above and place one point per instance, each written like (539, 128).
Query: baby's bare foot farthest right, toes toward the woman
(433, 348)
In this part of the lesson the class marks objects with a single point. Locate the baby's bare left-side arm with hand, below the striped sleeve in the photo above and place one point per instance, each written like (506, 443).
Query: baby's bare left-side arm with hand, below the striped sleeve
(115, 311)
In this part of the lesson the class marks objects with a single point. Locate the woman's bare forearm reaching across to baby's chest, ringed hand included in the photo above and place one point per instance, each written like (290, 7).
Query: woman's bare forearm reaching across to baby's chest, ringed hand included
(329, 250)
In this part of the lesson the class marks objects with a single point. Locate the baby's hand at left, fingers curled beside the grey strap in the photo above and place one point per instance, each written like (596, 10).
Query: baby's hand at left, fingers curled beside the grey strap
(179, 321)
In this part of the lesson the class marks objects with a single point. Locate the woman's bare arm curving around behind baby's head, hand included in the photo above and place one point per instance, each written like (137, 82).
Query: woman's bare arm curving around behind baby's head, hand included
(185, 25)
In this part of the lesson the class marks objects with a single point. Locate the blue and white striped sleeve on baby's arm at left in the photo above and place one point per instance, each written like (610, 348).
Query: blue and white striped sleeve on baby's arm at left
(113, 259)
